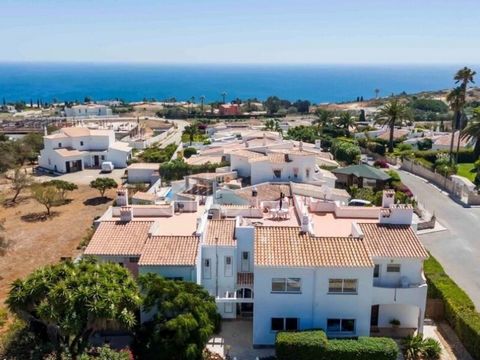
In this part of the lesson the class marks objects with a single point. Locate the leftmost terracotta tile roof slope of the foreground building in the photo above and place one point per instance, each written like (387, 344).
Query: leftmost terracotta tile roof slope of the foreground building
(119, 238)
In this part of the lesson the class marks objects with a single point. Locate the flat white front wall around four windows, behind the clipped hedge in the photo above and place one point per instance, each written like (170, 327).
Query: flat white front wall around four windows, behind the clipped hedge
(313, 306)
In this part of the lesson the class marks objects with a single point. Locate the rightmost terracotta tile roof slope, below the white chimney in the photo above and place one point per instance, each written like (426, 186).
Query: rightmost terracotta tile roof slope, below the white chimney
(392, 241)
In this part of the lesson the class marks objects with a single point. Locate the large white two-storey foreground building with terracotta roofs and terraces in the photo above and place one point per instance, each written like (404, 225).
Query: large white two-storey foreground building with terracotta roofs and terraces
(288, 258)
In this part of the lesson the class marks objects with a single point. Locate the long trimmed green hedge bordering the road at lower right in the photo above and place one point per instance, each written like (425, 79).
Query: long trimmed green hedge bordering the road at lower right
(459, 308)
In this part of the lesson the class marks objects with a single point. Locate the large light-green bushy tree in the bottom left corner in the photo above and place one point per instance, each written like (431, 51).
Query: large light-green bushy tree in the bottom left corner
(72, 301)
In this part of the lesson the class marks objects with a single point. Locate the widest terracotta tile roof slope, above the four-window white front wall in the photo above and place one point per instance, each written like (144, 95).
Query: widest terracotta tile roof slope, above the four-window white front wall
(286, 247)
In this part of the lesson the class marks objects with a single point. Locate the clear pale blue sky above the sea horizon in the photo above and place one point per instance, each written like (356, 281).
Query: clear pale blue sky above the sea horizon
(245, 31)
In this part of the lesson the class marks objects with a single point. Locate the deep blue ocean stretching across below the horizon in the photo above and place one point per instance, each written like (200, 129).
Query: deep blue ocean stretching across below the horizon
(134, 82)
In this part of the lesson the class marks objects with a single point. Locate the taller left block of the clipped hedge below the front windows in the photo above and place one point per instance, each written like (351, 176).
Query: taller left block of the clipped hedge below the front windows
(300, 345)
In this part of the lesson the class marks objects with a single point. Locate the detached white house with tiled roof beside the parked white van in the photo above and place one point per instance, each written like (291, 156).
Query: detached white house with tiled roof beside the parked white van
(76, 148)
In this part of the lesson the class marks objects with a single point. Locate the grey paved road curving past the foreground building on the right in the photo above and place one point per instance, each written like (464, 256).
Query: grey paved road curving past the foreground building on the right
(458, 248)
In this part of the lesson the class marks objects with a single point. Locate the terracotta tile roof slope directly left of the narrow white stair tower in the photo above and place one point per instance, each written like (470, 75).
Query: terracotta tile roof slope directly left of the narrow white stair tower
(170, 251)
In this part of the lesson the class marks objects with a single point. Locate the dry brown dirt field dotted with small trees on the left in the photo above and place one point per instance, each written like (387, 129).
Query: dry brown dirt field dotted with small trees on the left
(37, 242)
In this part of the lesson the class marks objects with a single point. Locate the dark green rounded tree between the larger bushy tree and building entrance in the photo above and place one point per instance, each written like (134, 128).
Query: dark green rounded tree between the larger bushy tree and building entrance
(185, 318)
